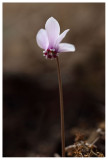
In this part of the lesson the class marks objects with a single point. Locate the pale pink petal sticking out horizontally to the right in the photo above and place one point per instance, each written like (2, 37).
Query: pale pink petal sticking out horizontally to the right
(66, 47)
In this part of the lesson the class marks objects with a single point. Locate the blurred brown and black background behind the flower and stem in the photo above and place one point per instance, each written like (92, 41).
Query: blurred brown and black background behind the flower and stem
(31, 114)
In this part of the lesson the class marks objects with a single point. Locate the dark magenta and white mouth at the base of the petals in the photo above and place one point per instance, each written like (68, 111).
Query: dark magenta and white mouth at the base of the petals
(50, 53)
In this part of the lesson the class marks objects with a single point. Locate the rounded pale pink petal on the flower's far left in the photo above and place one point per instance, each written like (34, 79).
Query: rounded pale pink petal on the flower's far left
(42, 39)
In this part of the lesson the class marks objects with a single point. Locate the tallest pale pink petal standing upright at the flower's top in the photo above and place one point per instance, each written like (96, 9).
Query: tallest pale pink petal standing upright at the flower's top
(53, 29)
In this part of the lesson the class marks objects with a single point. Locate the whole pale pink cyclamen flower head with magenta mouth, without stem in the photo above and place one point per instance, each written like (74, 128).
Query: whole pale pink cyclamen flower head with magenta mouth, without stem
(49, 39)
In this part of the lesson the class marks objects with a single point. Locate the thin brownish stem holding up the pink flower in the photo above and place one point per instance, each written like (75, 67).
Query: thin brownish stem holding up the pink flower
(61, 109)
